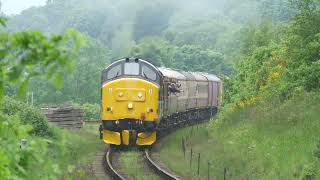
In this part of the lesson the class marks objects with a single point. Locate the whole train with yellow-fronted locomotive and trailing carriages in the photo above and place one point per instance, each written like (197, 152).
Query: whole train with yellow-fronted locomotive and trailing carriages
(140, 101)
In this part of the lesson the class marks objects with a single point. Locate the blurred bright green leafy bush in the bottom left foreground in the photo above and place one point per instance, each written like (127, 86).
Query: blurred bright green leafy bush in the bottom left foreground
(20, 162)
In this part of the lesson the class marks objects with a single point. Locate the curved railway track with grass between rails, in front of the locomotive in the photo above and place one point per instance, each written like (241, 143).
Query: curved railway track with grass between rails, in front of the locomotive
(151, 169)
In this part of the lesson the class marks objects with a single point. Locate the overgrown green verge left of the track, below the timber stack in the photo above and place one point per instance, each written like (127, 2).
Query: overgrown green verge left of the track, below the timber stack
(30, 148)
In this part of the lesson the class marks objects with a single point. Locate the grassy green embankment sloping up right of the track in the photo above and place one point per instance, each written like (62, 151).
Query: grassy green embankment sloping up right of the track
(272, 140)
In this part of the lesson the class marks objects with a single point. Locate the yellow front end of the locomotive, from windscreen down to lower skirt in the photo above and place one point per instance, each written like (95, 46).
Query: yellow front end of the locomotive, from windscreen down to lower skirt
(129, 103)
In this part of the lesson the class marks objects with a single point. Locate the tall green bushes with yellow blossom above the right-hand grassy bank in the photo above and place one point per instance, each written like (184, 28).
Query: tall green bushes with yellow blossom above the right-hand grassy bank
(278, 60)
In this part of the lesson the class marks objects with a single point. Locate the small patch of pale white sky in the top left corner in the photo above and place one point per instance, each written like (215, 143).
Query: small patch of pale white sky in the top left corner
(10, 7)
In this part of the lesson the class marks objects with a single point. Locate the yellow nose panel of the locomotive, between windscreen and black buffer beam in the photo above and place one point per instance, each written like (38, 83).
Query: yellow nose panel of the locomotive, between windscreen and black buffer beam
(130, 98)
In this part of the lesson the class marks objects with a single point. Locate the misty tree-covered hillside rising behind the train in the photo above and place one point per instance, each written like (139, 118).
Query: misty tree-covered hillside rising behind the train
(202, 35)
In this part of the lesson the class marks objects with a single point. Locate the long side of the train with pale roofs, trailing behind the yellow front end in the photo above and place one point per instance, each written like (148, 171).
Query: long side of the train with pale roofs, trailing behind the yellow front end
(188, 96)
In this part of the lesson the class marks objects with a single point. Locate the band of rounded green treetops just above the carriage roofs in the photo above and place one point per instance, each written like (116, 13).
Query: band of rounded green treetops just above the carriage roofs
(188, 57)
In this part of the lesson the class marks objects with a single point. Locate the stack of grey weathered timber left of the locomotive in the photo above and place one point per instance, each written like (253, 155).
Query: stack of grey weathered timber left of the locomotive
(66, 117)
